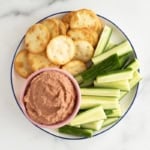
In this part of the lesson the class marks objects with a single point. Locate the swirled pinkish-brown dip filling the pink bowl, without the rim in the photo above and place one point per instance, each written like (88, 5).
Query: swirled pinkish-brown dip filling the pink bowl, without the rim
(50, 98)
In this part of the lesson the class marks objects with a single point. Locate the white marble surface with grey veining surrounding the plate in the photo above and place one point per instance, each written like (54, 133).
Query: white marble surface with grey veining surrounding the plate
(16, 133)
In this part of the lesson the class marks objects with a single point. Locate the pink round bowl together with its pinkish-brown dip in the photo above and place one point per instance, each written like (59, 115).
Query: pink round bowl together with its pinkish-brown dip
(50, 98)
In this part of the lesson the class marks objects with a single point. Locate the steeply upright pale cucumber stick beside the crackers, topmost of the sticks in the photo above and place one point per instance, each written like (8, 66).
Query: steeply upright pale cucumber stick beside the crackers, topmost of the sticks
(104, 38)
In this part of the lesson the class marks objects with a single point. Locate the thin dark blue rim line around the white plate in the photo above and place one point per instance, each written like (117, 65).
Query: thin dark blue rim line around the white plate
(11, 70)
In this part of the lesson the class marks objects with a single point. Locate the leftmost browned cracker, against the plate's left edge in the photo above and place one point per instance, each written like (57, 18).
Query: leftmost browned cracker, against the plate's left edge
(21, 64)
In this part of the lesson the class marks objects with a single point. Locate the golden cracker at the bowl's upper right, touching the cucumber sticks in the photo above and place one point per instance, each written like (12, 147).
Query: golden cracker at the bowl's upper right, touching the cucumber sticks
(74, 67)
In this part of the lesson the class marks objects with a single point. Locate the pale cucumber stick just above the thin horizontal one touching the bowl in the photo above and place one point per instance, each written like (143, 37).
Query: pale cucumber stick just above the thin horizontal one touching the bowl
(122, 84)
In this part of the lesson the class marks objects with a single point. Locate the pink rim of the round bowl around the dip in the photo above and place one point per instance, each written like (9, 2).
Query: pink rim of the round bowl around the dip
(77, 90)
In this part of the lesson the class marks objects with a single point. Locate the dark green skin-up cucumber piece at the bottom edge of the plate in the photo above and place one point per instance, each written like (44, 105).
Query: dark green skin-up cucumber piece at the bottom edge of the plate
(76, 131)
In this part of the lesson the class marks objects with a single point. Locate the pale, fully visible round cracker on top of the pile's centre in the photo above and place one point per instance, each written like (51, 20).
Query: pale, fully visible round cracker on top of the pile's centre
(60, 50)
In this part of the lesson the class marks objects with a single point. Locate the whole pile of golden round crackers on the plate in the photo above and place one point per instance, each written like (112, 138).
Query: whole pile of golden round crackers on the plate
(67, 42)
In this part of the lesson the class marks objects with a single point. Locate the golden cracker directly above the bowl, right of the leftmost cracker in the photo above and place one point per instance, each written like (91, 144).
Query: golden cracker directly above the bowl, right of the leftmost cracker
(39, 61)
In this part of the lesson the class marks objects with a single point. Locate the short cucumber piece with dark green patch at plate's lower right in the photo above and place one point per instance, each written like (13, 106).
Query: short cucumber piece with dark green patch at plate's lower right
(113, 113)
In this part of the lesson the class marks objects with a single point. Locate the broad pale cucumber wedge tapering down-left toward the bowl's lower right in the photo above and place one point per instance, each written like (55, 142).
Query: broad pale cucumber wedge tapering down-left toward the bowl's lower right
(90, 115)
